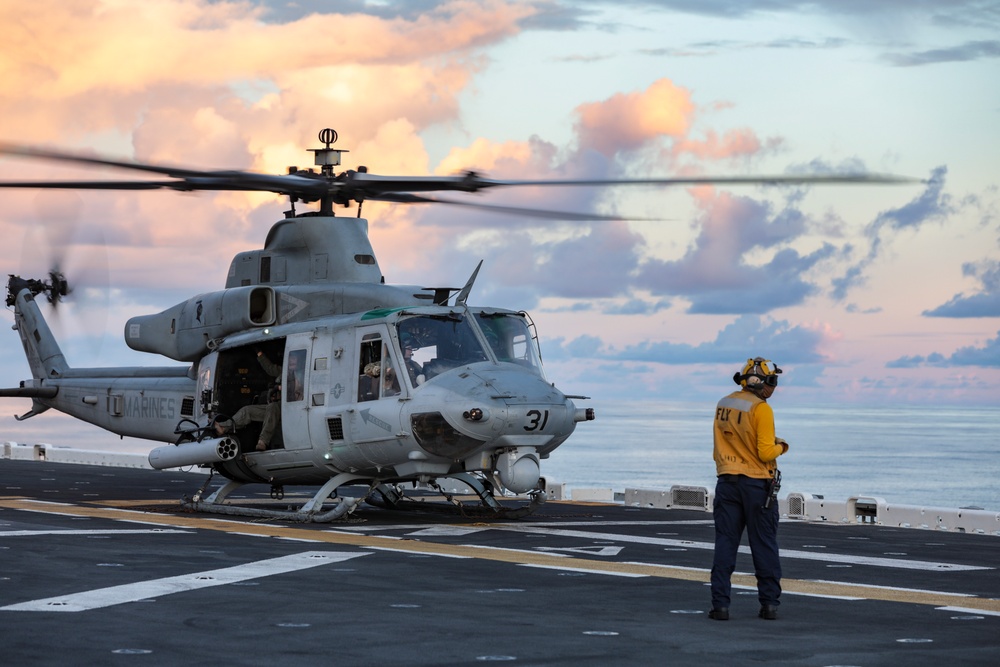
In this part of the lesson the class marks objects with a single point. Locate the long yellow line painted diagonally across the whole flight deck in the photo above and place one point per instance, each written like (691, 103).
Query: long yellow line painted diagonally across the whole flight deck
(825, 588)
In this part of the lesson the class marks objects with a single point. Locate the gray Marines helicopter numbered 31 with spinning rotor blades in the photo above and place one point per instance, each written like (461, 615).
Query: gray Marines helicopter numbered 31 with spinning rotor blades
(380, 385)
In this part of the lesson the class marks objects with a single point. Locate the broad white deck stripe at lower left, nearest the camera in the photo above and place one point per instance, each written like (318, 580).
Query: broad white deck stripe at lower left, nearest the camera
(143, 590)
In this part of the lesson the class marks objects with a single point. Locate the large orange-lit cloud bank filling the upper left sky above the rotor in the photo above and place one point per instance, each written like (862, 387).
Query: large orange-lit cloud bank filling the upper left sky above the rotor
(74, 69)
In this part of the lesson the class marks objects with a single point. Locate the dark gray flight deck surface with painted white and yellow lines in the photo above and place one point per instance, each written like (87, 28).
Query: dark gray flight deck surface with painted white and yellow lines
(102, 564)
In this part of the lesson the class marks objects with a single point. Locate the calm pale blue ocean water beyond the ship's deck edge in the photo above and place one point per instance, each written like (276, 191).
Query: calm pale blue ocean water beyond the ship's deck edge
(922, 455)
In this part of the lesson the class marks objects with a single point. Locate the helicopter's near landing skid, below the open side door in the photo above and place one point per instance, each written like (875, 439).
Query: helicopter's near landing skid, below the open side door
(310, 512)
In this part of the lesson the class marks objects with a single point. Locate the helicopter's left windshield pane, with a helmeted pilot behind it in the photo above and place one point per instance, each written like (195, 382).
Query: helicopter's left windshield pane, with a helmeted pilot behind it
(433, 344)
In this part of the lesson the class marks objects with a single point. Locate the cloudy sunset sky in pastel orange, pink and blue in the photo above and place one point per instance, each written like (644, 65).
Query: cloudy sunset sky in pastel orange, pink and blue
(863, 294)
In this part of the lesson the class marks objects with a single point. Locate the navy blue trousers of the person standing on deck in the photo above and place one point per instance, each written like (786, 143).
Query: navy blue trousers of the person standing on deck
(739, 505)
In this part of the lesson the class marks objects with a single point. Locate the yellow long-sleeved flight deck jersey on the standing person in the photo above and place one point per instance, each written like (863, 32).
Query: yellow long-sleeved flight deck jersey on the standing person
(744, 436)
